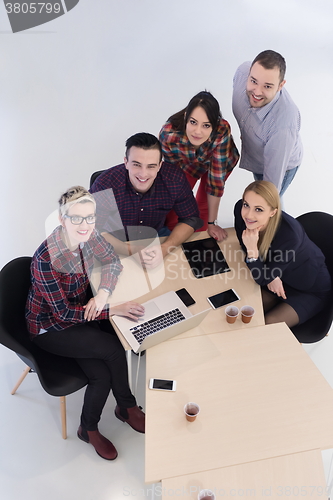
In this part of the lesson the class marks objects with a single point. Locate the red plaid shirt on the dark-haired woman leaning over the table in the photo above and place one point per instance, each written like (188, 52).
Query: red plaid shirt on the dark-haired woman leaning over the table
(218, 155)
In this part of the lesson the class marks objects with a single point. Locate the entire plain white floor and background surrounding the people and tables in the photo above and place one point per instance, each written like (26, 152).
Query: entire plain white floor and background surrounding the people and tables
(102, 67)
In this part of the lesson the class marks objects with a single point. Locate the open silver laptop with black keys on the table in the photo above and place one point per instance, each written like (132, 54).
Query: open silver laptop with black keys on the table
(165, 317)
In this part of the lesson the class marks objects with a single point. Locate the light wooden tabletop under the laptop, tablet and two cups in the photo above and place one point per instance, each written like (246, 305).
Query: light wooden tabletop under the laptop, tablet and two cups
(174, 273)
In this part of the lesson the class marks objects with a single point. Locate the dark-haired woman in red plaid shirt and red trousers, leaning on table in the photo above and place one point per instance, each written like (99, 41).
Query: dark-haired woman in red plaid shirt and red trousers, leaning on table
(199, 141)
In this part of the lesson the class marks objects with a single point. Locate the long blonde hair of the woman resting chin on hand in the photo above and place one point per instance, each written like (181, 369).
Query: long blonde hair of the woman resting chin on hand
(270, 194)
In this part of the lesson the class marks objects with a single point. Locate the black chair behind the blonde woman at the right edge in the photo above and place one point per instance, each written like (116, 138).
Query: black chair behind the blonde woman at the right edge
(319, 228)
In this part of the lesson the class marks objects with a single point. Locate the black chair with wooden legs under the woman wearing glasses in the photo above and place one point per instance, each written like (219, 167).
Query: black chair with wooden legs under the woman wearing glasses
(59, 376)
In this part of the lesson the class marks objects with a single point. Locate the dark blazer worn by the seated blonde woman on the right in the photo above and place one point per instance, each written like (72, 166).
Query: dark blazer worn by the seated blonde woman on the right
(292, 256)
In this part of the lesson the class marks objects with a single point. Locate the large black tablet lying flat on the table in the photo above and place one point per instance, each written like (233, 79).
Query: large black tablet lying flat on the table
(205, 257)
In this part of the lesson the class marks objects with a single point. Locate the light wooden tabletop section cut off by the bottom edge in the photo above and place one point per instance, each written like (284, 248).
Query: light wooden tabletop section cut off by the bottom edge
(299, 475)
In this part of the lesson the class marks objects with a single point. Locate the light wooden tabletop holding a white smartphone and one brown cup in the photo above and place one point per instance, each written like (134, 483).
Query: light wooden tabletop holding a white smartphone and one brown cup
(260, 397)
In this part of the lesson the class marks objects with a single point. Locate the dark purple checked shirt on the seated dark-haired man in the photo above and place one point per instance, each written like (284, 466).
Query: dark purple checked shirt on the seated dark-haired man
(120, 205)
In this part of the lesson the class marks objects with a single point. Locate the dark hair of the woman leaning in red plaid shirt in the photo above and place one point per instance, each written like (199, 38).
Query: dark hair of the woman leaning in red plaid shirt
(207, 102)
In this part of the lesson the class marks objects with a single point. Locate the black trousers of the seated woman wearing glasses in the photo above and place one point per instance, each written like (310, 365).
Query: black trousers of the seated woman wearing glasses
(101, 357)
